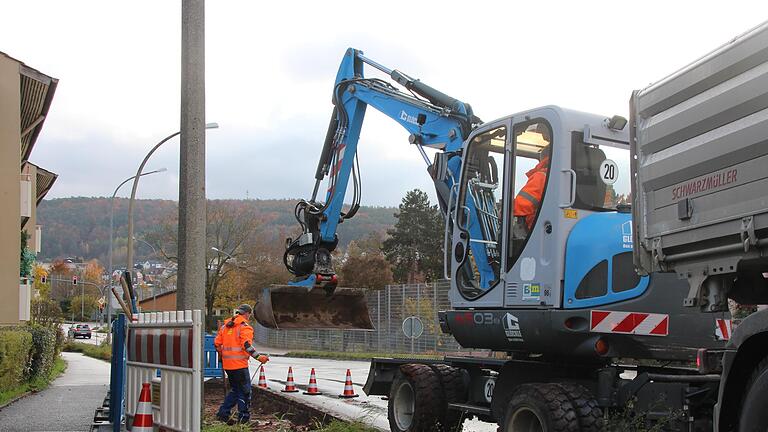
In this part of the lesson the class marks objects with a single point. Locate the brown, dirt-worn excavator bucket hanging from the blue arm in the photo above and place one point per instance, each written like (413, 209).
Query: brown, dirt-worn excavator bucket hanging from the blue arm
(291, 307)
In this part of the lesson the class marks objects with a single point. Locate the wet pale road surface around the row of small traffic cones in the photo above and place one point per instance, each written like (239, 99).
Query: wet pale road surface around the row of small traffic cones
(330, 376)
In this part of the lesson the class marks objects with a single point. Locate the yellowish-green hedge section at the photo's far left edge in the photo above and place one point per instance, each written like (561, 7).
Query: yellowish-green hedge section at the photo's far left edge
(15, 346)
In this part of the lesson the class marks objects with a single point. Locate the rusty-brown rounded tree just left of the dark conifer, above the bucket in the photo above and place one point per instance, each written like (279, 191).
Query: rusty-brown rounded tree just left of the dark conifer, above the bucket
(365, 265)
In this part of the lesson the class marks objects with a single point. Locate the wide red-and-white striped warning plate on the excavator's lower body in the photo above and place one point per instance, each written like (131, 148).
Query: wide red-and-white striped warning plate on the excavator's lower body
(637, 323)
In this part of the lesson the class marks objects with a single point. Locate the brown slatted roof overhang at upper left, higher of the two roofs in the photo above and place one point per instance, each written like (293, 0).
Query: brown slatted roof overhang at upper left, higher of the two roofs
(37, 91)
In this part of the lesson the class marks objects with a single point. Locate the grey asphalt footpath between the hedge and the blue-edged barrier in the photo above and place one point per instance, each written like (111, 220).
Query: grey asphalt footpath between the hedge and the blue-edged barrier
(67, 405)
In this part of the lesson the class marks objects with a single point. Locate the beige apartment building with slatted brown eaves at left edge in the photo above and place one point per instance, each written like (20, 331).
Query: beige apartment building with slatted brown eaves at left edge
(25, 98)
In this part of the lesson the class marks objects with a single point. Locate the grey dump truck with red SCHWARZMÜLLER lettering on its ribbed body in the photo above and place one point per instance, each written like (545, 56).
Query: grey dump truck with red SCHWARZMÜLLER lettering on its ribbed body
(699, 141)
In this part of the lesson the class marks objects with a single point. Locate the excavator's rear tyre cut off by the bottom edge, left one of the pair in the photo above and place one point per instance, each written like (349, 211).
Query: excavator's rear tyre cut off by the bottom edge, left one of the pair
(540, 408)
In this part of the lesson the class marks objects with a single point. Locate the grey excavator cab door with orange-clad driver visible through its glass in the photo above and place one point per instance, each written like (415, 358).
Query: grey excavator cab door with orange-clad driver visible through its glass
(535, 184)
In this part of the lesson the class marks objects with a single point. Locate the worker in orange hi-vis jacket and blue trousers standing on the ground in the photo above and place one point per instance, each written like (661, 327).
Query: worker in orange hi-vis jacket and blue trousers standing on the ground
(234, 342)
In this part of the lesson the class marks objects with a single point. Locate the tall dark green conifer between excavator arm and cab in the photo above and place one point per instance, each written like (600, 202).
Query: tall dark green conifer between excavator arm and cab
(415, 244)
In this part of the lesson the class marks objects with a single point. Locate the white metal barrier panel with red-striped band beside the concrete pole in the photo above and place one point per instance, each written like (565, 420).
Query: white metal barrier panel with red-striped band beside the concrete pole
(171, 342)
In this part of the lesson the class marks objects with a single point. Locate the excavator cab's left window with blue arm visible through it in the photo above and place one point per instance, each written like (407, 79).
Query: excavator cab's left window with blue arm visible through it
(481, 210)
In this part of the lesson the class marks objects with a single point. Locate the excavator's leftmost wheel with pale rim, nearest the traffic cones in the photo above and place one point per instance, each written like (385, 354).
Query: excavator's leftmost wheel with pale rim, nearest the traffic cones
(415, 400)
